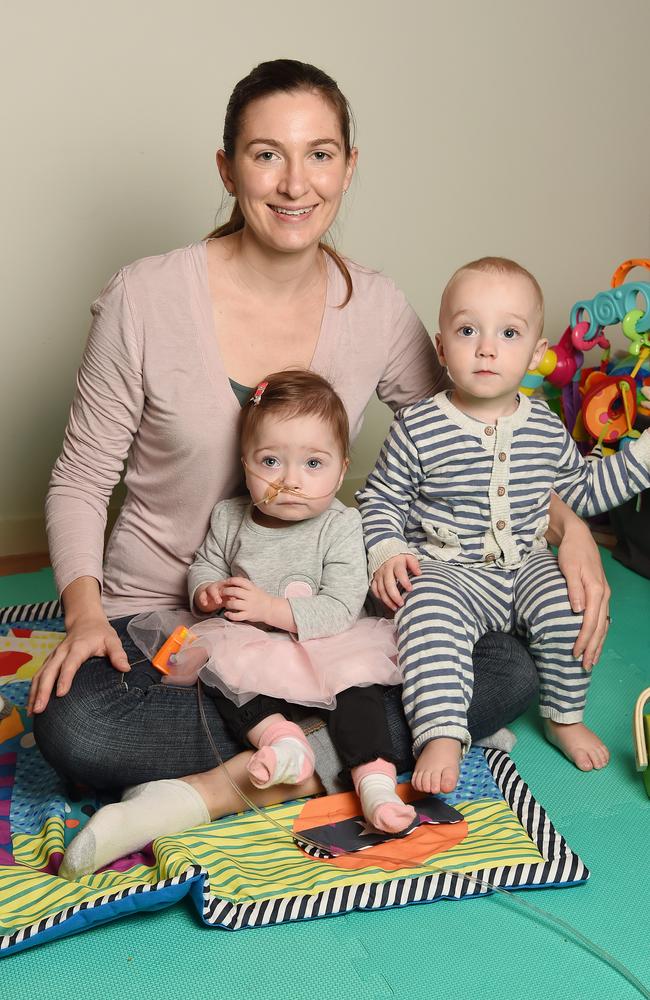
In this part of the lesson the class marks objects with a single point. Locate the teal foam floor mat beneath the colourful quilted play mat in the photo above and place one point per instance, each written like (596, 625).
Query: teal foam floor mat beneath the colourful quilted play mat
(476, 948)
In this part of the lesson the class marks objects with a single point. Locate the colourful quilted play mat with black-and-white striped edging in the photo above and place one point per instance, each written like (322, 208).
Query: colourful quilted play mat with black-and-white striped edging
(242, 871)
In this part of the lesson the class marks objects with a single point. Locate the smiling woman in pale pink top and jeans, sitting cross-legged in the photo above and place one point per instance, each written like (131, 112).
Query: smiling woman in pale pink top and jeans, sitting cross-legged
(176, 343)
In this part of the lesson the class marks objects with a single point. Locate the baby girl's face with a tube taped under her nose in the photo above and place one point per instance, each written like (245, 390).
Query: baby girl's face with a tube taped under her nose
(301, 452)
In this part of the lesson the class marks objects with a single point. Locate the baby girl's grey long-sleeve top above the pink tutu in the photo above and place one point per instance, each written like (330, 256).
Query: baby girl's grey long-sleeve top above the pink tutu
(324, 554)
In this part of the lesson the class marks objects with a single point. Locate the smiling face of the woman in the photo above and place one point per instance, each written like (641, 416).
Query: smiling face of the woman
(289, 170)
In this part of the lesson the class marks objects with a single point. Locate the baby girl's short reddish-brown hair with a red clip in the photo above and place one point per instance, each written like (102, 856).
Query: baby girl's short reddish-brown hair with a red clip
(294, 393)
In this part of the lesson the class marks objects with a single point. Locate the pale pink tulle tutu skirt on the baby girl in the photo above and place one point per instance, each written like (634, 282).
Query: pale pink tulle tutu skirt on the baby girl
(242, 660)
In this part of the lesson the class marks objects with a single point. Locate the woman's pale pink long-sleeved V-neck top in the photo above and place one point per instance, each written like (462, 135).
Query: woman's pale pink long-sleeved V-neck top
(152, 390)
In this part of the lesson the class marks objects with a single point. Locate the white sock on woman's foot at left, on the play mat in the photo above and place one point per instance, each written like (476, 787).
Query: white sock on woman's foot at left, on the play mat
(154, 809)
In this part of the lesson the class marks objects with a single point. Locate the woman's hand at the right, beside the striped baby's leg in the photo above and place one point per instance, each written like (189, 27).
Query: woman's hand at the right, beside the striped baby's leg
(589, 592)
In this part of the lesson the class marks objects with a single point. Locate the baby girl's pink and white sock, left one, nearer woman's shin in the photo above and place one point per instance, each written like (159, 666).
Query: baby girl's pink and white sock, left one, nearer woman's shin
(284, 756)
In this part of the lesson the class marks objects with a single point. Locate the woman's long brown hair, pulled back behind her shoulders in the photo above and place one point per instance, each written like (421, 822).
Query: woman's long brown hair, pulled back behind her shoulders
(284, 75)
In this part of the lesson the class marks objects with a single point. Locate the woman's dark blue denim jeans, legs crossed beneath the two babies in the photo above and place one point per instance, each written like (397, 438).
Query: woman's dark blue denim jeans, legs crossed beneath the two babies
(114, 729)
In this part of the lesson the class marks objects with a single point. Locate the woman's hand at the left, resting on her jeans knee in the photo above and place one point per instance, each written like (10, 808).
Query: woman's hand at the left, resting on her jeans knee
(91, 636)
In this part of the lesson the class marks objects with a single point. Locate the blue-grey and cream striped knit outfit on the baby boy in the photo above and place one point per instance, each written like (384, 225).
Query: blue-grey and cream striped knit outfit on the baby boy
(471, 501)
